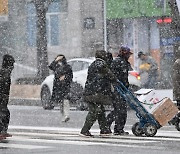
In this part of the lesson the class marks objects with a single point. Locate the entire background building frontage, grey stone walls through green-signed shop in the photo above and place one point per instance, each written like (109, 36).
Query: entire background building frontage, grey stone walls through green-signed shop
(76, 29)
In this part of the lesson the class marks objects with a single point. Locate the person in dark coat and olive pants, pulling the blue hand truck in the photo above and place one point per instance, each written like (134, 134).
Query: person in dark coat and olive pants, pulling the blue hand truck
(96, 94)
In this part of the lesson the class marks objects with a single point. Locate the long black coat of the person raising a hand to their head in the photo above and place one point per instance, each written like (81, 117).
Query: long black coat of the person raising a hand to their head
(61, 89)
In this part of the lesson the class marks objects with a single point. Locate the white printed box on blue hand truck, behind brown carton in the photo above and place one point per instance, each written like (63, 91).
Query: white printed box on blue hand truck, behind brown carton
(150, 99)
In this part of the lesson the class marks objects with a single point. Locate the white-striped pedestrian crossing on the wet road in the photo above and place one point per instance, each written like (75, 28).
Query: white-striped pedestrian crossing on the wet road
(26, 137)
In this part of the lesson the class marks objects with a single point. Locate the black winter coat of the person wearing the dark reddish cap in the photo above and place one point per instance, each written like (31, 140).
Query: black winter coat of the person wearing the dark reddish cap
(120, 67)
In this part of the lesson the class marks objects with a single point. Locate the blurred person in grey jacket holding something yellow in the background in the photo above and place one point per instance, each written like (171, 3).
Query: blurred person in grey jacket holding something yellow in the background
(148, 70)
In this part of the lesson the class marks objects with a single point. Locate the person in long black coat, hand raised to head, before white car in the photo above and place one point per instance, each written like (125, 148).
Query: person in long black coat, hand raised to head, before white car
(63, 76)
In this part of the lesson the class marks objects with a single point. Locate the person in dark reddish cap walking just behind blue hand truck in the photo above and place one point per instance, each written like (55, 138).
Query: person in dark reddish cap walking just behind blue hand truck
(120, 67)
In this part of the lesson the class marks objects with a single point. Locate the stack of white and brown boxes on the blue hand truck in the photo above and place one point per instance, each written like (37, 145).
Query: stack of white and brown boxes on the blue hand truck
(163, 109)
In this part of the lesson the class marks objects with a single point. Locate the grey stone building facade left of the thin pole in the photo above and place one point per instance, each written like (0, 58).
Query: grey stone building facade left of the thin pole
(74, 28)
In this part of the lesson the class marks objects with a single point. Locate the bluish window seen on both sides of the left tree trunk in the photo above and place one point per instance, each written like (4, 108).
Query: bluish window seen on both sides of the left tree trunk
(52, 21)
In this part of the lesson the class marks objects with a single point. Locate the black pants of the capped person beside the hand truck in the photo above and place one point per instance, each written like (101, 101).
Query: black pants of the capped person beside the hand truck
(119, 114)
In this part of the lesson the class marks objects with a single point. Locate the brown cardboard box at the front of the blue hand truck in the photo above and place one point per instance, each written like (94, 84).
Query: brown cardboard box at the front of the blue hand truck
(165, 111)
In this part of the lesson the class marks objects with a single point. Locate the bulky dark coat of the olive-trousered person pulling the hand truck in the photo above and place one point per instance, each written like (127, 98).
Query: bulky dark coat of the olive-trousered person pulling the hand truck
(99, 79)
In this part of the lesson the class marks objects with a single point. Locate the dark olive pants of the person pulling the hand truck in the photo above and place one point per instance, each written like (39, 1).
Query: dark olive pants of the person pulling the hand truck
(96, 112)
